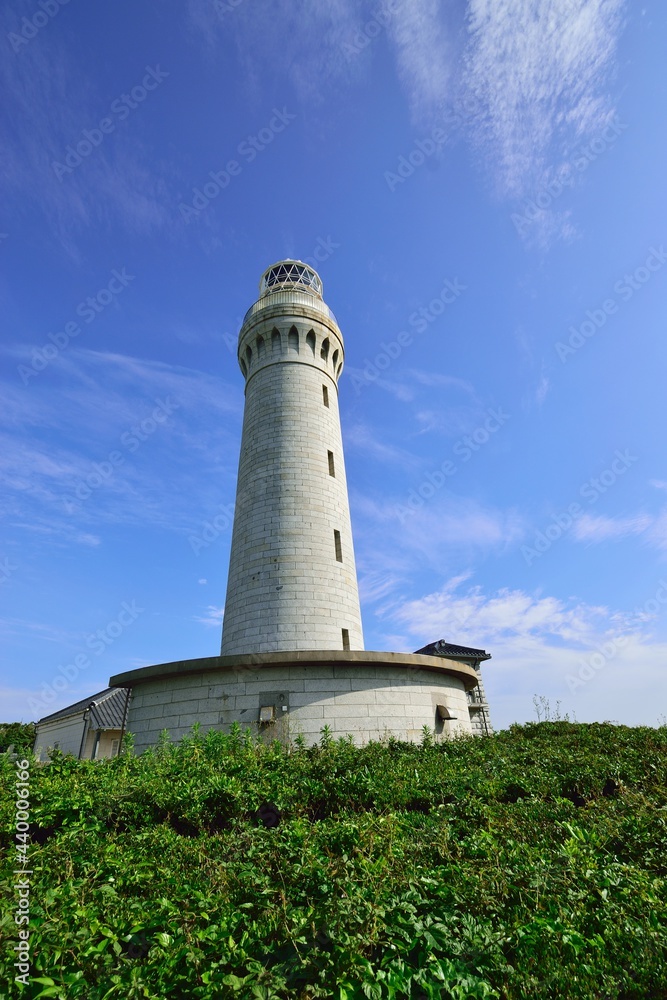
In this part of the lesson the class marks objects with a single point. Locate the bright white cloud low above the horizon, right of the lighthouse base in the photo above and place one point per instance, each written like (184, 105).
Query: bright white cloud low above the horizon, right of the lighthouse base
(544, 645)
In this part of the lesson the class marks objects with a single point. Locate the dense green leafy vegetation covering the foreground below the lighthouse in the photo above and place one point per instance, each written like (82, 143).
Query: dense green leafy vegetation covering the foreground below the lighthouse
(529, 864)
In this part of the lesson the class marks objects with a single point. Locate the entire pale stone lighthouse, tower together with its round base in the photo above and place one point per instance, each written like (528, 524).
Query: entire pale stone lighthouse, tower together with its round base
(292, 657)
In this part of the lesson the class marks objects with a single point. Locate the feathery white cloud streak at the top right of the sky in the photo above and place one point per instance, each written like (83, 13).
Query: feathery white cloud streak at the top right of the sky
(540, 69)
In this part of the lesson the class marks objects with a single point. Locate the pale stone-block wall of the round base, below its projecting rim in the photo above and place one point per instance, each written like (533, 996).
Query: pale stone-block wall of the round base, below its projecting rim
(365, 700)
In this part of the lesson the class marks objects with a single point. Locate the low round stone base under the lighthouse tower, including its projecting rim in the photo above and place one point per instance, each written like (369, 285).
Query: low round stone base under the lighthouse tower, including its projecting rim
(369, 695)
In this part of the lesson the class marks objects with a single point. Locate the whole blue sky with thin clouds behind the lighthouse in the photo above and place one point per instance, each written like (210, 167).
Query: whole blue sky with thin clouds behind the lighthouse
(481, 189)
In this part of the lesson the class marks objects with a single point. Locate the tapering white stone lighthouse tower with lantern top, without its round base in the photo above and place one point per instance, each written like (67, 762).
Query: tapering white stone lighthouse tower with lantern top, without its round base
(292, 581)
